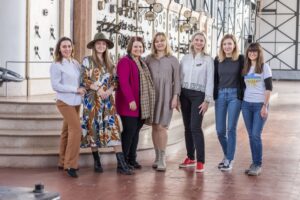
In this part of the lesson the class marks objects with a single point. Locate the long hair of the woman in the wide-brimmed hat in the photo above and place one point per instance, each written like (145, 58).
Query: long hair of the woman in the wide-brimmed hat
(106, 59)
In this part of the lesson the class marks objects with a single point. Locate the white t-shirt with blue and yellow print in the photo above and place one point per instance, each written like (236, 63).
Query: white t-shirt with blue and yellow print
(255, 85)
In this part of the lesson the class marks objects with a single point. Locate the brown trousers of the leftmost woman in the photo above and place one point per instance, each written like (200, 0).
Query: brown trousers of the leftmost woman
(70, 136)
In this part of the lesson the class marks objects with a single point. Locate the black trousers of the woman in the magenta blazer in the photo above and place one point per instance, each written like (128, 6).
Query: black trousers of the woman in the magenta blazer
(130, 136)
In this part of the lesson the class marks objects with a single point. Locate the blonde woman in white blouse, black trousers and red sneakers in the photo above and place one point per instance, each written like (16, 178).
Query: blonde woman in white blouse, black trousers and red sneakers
(197, 79)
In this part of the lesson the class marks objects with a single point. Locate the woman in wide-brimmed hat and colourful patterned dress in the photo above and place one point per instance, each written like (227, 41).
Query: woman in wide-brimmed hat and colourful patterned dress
(101, 125)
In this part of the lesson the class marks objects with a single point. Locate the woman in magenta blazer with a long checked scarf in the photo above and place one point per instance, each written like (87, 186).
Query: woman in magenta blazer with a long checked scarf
(134, 98)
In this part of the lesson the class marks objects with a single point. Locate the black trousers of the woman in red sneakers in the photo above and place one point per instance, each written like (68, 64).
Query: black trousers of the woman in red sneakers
(190, 101)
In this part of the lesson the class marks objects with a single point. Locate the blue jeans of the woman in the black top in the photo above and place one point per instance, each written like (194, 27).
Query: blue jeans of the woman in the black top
(227, 111)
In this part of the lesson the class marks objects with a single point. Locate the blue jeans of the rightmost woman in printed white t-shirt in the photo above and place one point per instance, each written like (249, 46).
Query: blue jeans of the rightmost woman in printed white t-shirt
(254, 124)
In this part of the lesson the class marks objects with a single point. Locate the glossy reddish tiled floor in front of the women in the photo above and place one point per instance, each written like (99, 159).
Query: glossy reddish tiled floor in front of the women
(280, 178)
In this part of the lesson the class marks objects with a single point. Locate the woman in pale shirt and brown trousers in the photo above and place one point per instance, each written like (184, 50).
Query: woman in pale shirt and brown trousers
(65, 73)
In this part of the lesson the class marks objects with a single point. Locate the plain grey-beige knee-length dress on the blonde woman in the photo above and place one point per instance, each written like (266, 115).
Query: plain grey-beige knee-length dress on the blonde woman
(166, 78)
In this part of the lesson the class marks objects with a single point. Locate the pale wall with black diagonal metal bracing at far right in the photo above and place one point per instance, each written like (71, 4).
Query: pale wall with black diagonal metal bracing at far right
(278, 32)
